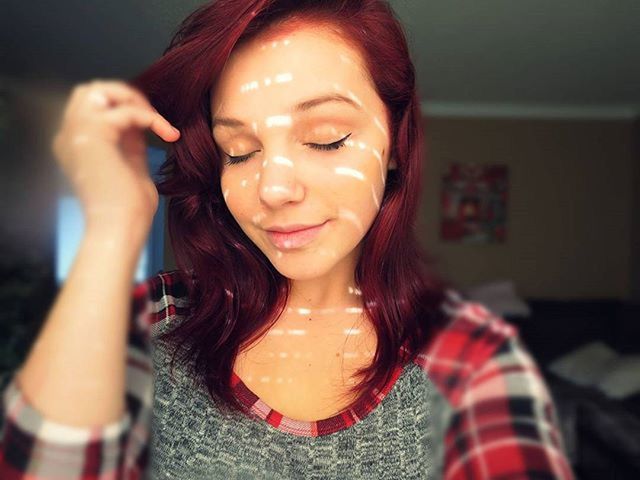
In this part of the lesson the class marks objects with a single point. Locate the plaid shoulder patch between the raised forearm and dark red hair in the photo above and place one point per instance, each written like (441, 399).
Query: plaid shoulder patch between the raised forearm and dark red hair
(158, 300)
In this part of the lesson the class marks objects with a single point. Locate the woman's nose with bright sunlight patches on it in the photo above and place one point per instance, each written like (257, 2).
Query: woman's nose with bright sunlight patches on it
(278, 183)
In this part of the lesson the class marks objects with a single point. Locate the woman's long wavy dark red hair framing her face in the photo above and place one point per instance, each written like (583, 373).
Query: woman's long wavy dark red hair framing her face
(234, 292)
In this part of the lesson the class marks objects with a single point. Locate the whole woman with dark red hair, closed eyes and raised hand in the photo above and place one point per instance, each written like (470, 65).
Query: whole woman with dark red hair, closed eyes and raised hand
(313, 339)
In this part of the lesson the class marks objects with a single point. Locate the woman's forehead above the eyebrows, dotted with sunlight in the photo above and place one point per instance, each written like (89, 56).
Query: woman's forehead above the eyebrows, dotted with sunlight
(274, 70)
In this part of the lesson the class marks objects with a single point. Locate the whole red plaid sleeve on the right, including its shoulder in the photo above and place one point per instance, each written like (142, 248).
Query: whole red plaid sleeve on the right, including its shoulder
(504, 423)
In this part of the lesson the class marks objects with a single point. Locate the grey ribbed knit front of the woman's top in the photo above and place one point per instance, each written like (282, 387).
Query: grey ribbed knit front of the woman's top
(401, 438)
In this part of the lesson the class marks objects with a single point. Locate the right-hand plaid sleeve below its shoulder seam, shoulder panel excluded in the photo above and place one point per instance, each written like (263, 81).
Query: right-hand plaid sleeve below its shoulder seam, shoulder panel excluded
(505, 425)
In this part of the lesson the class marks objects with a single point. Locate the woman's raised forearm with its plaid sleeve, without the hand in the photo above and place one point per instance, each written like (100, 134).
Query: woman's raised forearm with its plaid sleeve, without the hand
(44, 438)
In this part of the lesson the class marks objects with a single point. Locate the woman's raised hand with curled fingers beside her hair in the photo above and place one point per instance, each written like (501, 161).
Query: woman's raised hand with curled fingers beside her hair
(101, 148)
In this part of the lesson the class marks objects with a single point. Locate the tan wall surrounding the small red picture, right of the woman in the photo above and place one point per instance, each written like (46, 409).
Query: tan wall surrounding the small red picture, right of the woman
(569, 213)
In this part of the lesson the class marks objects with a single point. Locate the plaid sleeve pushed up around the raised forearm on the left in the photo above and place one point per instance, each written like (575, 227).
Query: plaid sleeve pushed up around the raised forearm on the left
(35, 447)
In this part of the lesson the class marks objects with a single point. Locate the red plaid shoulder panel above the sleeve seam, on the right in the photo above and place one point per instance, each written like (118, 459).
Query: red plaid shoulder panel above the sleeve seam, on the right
(472, 338)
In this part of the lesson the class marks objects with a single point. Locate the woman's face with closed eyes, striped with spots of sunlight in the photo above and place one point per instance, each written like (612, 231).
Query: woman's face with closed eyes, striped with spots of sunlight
(305, 141)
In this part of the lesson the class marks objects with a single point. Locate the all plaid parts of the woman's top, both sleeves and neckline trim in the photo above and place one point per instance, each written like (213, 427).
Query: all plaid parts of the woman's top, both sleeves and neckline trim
(503, 423)
